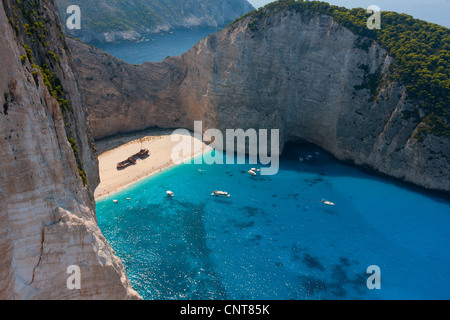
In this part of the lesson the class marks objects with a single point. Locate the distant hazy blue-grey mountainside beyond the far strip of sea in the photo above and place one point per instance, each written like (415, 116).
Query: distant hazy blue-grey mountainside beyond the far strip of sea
(113, 20)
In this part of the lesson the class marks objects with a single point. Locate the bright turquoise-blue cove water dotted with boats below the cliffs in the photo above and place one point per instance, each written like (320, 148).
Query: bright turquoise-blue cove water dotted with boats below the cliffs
(274, 239)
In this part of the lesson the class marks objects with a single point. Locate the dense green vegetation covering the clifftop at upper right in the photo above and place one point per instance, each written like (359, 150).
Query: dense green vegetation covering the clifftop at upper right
(421, 51)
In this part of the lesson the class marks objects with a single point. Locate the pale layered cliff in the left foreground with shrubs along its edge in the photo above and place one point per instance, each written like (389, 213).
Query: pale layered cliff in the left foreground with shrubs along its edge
(48, 168)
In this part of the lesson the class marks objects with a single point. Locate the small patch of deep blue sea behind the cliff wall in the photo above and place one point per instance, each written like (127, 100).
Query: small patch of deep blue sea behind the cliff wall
(157, 47)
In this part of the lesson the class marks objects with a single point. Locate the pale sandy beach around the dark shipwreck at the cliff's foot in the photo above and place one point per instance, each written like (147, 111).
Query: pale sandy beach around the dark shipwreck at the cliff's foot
(118, 148)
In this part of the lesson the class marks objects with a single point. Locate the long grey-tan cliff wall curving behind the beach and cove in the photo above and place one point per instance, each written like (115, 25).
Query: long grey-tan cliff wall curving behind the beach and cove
(301, 73)
